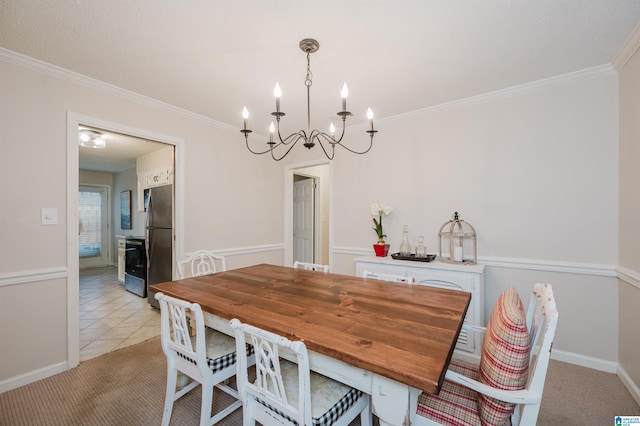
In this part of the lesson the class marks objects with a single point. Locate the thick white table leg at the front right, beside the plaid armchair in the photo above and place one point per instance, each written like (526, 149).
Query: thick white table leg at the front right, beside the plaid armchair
(394, 403)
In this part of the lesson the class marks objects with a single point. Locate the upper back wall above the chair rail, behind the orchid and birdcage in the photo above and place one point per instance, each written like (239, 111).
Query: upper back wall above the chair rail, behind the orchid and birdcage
(535, 173)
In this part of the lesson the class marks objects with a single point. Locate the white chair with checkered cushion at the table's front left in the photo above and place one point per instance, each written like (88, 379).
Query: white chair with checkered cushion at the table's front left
(207, 359)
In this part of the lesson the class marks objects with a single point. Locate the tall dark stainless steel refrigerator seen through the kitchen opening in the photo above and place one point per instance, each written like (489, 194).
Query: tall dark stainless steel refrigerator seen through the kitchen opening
(159, 236)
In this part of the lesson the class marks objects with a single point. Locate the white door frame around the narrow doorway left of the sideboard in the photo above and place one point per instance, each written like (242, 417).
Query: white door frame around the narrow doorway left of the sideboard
(289, 171)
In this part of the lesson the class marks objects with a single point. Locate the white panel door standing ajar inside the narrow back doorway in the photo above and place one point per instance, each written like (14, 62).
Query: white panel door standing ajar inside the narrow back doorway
(303, 219)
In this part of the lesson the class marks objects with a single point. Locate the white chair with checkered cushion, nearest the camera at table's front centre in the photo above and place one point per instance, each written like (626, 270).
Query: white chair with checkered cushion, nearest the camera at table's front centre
(282, 391)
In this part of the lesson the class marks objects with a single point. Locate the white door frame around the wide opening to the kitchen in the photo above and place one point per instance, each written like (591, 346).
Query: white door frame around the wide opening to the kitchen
(73, 281)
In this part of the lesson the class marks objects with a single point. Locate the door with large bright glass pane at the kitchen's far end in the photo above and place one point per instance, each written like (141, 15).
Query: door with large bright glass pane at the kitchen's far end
(93, 227)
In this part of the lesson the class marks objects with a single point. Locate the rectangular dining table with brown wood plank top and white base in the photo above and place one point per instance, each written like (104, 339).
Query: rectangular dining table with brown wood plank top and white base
(390, 340)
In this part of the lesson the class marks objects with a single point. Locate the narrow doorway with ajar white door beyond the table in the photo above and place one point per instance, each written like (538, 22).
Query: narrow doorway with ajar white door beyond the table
(310, 239)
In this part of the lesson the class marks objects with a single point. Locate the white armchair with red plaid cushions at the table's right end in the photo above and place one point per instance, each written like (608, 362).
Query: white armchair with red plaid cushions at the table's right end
(507, 385)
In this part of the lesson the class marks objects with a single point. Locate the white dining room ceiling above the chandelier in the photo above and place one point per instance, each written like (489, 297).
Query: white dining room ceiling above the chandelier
(213, 57)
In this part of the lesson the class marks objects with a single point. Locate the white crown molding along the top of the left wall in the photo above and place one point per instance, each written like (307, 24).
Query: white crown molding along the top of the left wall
(72, 77)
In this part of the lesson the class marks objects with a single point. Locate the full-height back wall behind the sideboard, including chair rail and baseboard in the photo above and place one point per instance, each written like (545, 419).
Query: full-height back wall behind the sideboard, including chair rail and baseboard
(535, 172)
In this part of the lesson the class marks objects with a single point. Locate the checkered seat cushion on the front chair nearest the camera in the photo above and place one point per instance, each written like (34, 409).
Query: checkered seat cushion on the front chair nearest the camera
(329, 399)
